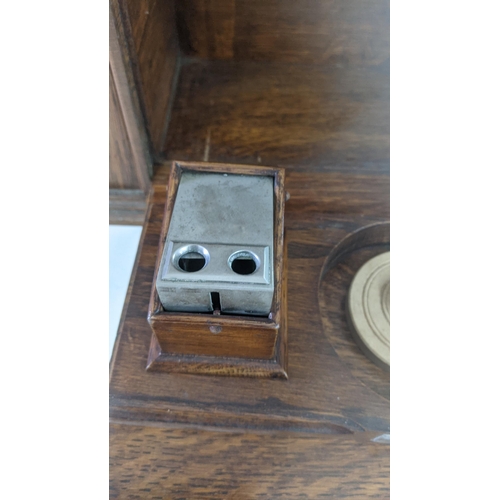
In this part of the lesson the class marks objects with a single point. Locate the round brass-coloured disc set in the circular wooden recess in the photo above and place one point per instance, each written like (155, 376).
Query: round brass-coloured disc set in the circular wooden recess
(368, 306)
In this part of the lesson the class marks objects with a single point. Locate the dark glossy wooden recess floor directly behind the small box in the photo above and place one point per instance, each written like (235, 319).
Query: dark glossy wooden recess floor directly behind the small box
(299, 117)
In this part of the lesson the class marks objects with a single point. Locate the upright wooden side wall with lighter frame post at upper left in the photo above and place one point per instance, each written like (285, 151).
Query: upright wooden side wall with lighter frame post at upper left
(144, 60)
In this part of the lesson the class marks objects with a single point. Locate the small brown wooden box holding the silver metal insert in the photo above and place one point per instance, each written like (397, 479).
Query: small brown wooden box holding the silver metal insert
(222, 344)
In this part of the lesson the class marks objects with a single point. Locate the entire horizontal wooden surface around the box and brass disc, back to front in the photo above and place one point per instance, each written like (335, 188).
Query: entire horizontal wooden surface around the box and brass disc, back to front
(187, 436)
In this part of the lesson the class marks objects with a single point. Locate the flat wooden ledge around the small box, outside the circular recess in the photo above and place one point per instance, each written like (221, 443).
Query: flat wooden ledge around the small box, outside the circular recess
(322, 392)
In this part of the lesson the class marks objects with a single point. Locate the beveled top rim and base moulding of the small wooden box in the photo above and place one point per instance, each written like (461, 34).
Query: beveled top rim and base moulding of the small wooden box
(277, 367)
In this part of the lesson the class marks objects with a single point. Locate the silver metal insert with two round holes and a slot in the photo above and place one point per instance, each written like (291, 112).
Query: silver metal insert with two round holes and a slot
(218, 255)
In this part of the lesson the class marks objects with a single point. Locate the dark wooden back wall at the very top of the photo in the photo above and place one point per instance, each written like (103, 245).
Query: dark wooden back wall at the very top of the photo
(298, 31)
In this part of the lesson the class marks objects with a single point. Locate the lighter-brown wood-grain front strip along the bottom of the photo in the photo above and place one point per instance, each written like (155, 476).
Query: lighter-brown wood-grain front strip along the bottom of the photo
(175, 463)
